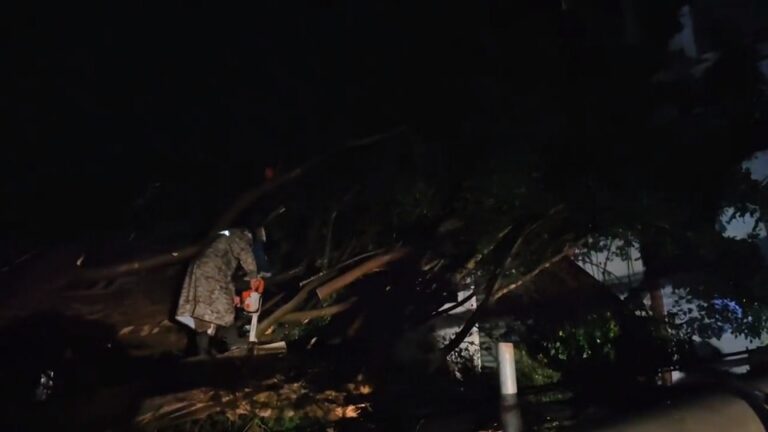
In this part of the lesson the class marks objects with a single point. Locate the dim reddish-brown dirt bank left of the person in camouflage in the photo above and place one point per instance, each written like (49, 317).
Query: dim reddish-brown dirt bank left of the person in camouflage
(139, 307)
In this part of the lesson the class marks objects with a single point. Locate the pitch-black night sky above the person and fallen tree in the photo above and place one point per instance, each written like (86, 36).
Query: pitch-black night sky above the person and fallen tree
(102, 101)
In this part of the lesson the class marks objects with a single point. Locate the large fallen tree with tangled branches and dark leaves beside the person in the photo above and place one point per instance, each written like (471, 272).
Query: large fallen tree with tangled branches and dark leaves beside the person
(524, 194)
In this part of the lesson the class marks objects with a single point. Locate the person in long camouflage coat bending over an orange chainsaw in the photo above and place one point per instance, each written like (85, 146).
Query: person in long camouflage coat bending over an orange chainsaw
(208, 295)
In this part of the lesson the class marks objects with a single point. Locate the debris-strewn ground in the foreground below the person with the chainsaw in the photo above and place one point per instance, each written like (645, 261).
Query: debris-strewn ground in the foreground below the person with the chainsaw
(104, 356)
